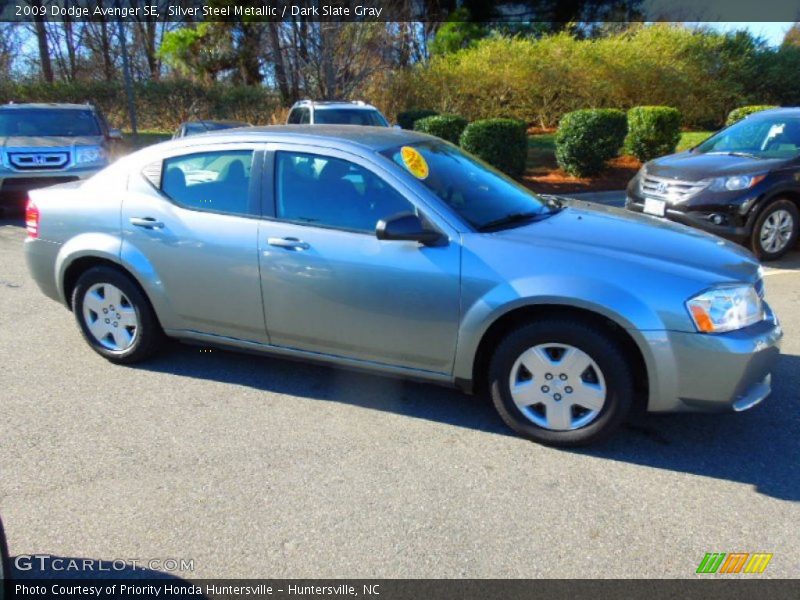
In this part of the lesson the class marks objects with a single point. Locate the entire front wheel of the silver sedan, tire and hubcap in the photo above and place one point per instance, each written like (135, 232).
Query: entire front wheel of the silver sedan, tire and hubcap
(561, 383)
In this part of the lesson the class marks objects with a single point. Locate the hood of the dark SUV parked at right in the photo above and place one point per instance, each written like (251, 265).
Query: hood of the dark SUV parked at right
(694, 166)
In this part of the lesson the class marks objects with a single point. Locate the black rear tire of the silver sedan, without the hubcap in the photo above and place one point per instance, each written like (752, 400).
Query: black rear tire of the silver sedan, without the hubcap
(148, 336)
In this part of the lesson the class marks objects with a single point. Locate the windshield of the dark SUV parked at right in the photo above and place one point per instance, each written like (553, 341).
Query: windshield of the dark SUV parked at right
(763, 137)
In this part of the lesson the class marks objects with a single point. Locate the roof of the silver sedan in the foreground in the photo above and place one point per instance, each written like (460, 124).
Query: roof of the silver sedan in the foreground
(339, 136)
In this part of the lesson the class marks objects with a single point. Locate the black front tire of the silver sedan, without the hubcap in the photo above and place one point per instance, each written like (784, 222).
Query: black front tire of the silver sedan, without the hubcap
(598, 345)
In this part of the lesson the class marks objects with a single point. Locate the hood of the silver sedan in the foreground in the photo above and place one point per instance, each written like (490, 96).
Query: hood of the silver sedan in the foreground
(622, 236)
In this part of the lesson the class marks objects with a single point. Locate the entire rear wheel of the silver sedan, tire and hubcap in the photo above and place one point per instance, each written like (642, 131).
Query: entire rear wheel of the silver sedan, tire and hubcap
(115, 317)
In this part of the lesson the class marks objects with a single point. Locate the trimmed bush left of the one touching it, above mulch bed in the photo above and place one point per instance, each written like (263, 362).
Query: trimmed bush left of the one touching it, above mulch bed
(587, 139)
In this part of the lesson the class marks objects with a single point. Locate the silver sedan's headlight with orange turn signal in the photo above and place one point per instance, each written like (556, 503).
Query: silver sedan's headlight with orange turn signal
(726, 308)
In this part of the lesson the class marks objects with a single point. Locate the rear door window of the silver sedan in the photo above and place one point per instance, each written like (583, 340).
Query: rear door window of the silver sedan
(212, 181)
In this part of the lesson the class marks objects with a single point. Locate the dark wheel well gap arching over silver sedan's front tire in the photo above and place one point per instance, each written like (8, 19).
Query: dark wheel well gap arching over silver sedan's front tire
(520, 316)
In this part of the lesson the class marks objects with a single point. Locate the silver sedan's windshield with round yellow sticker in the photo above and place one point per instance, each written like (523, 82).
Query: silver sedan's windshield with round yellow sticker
(480, 194)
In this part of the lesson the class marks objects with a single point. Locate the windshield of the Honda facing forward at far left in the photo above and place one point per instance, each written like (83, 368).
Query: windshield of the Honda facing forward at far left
(48, 122)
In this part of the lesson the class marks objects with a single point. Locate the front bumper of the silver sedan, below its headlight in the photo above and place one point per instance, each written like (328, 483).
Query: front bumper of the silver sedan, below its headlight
(712, 373)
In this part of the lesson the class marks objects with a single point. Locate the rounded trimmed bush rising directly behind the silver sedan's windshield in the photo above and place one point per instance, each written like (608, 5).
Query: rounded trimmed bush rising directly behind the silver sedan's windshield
(503, 143)
